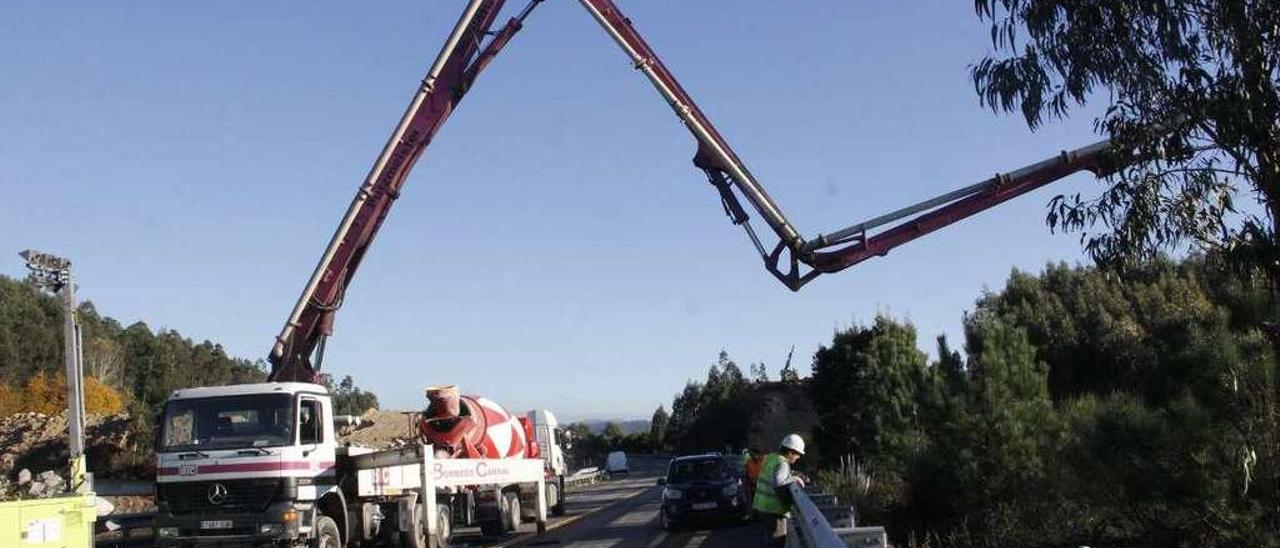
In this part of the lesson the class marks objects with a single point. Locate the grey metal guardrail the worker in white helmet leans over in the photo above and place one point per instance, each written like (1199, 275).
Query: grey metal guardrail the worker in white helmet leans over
(810, 526)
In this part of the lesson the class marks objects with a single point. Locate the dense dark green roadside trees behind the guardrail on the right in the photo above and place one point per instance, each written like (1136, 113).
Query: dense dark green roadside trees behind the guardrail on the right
(1086, 409)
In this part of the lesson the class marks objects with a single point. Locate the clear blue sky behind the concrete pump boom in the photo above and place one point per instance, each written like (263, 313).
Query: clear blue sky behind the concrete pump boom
(555, 248)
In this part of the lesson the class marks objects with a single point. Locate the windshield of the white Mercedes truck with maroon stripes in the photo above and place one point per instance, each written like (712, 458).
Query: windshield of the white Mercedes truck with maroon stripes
(228, 423)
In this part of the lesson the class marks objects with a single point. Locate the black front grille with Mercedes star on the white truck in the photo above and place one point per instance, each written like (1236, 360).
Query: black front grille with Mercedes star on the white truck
(241, 496)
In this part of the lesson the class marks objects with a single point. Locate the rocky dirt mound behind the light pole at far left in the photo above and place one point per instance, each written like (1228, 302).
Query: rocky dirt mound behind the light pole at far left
(39, 442)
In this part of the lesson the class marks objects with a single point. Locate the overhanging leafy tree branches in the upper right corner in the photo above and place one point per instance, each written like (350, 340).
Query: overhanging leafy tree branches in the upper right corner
(1206, 72)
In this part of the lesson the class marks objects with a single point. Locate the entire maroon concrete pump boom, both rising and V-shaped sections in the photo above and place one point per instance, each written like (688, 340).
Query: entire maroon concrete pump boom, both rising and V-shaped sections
(465, 54)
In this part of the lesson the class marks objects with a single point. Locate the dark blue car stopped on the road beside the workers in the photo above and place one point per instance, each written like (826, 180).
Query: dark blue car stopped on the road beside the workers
(703, 488)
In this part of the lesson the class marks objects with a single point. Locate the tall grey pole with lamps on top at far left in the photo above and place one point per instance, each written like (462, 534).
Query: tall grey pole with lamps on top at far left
(54, 273)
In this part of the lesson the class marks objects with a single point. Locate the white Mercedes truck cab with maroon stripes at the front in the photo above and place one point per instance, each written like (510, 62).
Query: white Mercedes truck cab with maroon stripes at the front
(250, 463)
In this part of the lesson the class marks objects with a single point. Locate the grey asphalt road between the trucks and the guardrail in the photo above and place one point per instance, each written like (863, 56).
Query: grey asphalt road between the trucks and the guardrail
(619, 514)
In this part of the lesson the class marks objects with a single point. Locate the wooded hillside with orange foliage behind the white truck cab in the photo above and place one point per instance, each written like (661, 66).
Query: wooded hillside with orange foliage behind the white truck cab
(130, 371)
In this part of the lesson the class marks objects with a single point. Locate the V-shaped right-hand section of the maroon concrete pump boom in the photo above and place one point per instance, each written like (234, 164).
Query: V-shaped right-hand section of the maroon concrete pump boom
(842, 249)
